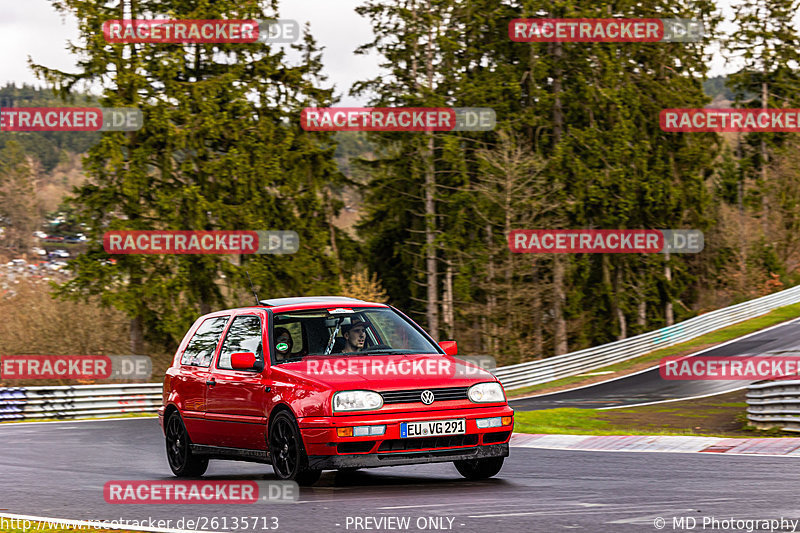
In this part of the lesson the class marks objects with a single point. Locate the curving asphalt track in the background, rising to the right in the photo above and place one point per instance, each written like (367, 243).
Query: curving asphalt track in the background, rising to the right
(648, 386)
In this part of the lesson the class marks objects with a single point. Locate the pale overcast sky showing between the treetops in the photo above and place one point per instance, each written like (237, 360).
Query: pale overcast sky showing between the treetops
(33, 28)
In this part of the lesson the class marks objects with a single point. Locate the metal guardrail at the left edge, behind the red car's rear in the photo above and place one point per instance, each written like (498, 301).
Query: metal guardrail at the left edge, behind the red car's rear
(32, 403)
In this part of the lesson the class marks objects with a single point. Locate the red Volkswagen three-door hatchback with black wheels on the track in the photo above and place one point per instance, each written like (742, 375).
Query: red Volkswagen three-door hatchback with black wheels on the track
(328, 383)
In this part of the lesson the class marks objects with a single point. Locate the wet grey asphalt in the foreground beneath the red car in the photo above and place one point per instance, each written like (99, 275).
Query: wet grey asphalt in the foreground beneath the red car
(58, 470)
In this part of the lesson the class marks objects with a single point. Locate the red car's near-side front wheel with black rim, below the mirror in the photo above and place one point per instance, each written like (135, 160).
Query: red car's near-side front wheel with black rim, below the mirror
(287, 453)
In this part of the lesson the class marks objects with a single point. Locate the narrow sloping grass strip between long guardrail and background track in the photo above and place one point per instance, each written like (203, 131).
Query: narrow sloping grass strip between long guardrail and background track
(776, 316)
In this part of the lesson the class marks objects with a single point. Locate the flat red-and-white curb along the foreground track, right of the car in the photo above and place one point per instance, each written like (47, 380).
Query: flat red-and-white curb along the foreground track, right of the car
(671, 444)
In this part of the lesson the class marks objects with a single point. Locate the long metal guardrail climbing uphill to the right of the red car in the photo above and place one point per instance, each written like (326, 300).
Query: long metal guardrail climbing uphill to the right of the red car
(562, 366)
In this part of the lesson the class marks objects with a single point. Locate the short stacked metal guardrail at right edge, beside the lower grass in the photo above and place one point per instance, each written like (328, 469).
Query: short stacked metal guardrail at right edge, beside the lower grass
(774, 404)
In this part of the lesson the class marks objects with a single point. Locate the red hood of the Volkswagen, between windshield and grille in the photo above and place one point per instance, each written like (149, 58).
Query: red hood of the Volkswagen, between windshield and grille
(387, 372)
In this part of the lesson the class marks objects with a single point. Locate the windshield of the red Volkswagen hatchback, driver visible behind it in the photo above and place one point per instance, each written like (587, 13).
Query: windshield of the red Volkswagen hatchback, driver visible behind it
(345, 331)
